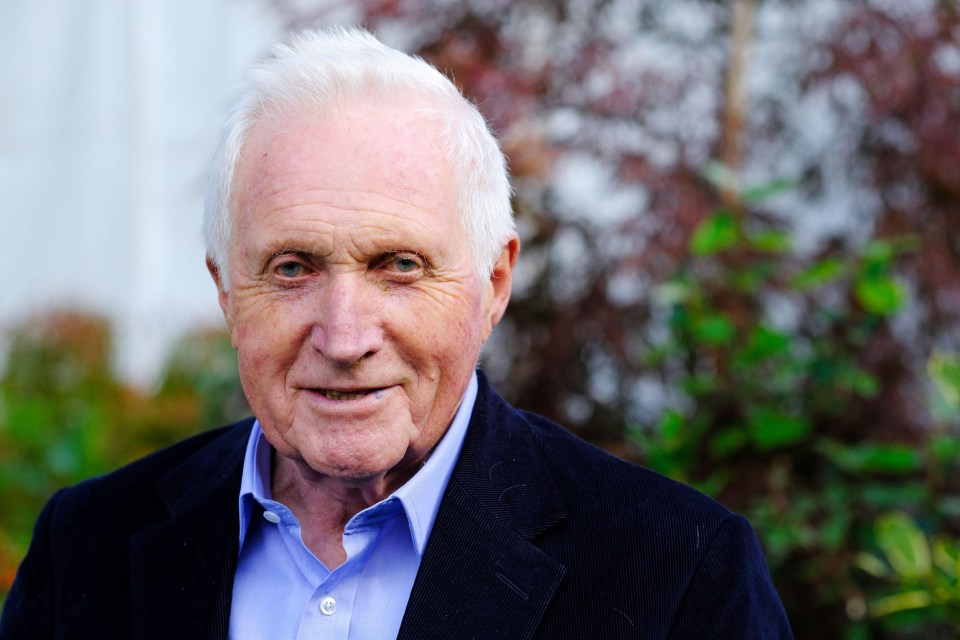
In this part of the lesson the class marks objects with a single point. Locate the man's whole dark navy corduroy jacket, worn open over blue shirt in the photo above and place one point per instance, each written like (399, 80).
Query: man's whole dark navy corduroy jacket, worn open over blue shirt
(539, 535)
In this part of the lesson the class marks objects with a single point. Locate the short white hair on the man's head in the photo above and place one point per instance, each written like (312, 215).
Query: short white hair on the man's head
(321, 67)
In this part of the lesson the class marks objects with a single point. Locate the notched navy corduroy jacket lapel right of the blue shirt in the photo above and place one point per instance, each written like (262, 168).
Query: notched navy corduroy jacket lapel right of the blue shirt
(481, 574)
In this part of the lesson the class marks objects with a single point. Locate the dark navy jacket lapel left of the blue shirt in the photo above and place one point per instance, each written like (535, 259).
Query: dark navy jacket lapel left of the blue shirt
(185, 564)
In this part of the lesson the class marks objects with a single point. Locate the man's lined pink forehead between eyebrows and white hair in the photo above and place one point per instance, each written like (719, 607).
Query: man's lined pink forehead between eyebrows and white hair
(391, 150)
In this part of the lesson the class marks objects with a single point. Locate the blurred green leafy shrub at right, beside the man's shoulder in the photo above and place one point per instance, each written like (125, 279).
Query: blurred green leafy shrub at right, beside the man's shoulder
(770, 349)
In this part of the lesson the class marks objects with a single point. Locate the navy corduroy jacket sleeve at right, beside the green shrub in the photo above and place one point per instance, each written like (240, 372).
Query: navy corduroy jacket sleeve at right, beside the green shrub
(731, 594)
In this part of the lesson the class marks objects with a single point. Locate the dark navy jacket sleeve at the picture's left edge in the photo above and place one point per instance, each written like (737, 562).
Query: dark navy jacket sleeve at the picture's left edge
(28, 610)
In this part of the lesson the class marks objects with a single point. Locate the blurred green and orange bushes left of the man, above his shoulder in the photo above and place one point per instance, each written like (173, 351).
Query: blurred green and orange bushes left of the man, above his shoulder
(64, 416)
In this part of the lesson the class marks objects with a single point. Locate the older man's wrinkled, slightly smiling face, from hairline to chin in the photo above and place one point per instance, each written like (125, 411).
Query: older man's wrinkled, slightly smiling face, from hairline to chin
(355, 308)
